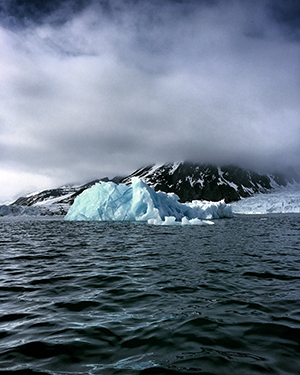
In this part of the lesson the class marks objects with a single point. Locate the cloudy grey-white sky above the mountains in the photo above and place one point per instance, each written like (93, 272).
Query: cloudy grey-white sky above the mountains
(99, 88)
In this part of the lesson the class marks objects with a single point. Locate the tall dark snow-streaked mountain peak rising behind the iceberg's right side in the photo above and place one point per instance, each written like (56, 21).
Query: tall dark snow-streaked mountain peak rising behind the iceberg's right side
(192, 181)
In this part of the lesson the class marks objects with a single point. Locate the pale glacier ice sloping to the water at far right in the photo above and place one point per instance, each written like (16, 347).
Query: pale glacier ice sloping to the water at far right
(282, 200)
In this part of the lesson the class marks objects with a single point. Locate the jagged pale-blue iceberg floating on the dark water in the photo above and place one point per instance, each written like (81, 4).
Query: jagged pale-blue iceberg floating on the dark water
(107, 201)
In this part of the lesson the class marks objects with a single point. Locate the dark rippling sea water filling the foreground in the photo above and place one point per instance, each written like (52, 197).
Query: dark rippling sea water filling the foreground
(127, 298)
